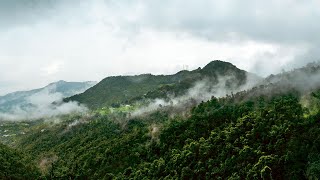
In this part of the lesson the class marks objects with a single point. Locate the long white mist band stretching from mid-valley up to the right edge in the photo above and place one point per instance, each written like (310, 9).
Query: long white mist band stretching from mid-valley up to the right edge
(303, 80)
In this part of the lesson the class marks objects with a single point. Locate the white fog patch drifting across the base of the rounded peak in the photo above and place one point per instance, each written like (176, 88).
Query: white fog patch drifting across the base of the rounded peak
(201, 91)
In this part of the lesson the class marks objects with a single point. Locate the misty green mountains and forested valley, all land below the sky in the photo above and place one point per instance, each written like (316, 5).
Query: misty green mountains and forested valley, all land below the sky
(213, 122)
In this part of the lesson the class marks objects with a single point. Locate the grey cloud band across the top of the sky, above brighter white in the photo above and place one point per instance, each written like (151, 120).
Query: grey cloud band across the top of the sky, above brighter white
(275, 21)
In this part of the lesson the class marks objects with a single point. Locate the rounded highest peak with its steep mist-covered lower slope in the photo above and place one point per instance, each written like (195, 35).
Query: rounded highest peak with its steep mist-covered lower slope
(218, 78)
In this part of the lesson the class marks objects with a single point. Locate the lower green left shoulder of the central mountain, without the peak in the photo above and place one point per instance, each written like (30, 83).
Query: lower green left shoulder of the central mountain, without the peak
(116, 90)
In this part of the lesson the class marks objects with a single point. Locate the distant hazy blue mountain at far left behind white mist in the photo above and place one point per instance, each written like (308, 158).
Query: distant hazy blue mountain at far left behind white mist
(47, 94)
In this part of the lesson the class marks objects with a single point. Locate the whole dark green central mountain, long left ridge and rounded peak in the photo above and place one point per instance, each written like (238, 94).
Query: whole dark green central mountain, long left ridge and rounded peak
(127, 89)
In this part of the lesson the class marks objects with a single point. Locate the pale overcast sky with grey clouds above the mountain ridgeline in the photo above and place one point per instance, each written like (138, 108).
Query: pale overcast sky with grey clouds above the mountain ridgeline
(42, 41)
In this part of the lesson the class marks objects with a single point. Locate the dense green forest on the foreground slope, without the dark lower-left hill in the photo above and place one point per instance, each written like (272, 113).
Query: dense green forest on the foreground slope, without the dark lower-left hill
(259, 138)
